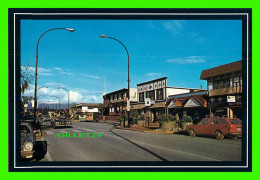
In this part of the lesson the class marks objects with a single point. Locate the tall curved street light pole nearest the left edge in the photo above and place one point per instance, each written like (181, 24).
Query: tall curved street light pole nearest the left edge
(36, 67)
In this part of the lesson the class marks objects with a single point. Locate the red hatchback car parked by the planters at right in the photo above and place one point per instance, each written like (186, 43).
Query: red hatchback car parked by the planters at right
(218, 127)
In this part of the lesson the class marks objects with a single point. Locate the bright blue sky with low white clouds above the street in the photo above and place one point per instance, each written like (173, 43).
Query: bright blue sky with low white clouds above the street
(83, 62)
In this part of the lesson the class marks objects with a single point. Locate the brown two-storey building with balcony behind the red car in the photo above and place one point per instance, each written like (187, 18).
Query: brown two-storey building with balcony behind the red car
(225, 89)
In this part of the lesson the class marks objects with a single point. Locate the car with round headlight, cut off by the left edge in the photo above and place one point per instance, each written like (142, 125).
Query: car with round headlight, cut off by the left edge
(27, 140)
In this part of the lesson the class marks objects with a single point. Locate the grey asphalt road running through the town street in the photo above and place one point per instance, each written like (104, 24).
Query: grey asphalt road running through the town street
(125, 145)
